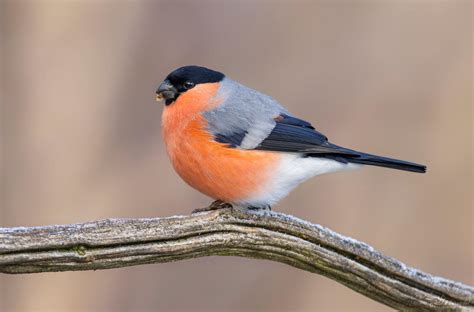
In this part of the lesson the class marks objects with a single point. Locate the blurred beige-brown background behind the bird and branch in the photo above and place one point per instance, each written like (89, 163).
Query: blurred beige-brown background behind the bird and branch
(81, 137)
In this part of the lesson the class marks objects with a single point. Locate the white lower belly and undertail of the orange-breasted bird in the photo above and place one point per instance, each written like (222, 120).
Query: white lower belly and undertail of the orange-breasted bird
(293, 170)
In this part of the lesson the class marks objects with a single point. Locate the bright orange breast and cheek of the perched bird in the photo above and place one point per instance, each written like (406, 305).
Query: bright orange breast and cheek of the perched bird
(214, 169)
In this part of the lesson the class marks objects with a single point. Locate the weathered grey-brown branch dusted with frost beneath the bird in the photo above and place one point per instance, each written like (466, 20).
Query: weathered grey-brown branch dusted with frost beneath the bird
(273, 236)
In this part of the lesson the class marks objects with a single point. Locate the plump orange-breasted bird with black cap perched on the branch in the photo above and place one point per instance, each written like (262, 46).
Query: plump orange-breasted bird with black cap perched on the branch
(240, 146)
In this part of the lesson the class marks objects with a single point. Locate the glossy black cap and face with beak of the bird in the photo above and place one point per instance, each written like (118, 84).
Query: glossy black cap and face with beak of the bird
(185, 78)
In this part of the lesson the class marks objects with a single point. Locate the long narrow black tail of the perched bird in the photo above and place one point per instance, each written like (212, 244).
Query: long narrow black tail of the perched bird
(355, 157)
